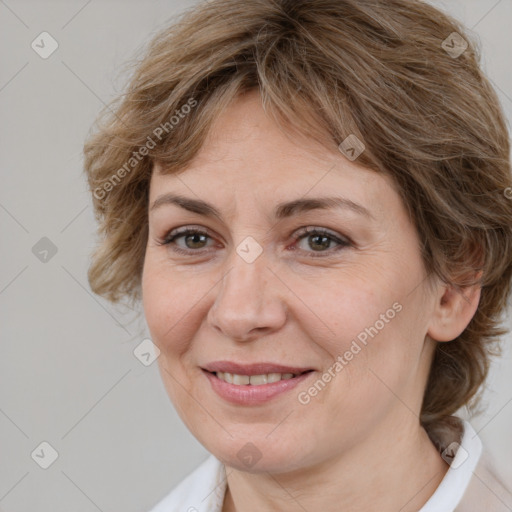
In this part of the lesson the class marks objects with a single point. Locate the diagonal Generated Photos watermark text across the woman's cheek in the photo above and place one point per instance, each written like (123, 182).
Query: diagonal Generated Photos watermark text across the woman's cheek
(343, 360)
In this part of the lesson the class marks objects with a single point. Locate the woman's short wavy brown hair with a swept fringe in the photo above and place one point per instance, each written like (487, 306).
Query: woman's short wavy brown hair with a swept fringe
(374, 68)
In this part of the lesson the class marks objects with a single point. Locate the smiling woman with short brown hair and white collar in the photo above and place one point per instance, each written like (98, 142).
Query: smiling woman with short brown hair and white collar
(310, 199)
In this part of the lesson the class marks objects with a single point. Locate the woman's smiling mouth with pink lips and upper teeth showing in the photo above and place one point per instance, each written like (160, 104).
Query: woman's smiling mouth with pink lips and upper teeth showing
(253, 384)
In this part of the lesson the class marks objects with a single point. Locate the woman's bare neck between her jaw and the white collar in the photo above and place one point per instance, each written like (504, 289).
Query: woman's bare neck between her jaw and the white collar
(386, 474)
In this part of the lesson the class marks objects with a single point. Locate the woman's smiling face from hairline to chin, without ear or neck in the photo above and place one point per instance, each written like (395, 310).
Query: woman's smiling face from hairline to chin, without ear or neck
(346, 305)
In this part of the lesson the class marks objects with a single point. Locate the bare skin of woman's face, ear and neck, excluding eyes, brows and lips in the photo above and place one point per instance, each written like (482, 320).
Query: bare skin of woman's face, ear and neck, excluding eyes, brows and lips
(357, 443)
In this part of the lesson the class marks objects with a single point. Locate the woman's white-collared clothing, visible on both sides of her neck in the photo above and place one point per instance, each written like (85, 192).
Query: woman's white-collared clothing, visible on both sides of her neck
(470, 484)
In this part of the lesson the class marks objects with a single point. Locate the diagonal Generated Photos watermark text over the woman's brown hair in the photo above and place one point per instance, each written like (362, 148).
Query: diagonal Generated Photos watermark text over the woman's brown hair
(101, 191)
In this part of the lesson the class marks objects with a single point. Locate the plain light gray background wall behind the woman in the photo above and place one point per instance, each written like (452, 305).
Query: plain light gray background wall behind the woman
(68, 373)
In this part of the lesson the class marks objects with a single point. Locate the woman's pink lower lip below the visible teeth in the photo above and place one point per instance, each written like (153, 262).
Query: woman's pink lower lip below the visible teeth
(253, 395)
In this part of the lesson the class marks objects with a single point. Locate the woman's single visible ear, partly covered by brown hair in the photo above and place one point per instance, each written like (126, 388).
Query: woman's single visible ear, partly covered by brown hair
(453, 310)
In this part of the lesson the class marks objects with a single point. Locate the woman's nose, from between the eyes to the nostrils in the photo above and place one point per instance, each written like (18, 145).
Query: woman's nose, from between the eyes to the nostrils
(248, 304)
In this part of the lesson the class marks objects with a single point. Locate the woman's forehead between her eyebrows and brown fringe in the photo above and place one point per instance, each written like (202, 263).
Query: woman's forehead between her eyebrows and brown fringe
(249, 155)
